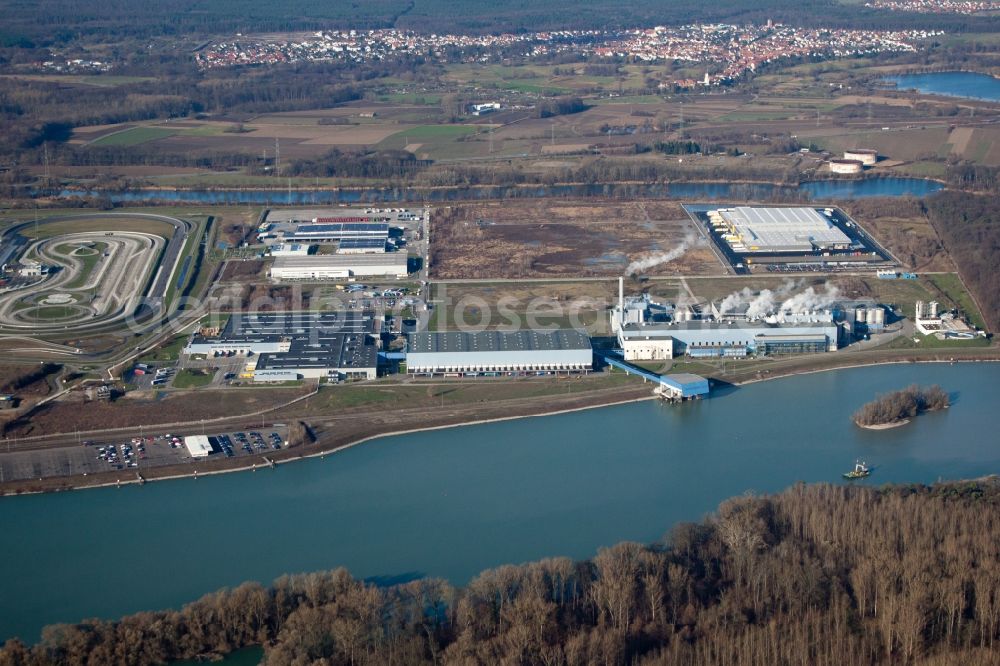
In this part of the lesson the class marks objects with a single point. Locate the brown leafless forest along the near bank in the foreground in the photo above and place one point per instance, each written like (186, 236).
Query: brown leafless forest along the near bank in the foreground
(821, 574)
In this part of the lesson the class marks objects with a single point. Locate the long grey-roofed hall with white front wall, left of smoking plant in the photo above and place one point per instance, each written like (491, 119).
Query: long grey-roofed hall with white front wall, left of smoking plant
(499, 353)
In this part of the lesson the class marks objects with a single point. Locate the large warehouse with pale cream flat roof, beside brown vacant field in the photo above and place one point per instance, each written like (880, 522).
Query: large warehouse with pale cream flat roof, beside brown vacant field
(752, 229)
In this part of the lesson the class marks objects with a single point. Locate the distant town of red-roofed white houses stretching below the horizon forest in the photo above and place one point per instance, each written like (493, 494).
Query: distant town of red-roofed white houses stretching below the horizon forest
(733, 50)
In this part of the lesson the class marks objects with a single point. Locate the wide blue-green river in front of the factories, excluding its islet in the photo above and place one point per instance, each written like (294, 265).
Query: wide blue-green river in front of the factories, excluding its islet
(452, 502)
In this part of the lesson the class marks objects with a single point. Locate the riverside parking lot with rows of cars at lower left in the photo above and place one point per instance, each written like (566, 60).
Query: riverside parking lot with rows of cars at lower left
(130, 455)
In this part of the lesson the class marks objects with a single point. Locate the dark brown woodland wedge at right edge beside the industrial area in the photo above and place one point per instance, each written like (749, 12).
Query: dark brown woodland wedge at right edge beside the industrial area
(969, 228)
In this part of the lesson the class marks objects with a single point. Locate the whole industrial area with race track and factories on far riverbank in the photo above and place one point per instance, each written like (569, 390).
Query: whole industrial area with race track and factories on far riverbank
(488, 303)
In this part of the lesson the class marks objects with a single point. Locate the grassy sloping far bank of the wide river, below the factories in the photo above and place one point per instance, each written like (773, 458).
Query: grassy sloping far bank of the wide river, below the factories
(342, 432)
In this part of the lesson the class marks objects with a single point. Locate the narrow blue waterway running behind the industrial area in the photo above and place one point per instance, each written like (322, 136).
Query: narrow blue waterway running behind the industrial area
(812, 190)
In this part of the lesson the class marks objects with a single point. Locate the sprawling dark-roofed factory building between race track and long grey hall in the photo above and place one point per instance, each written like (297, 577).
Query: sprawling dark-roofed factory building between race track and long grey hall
(282, 346)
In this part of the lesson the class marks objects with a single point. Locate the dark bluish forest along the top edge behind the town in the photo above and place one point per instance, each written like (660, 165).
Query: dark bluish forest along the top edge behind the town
(61, 21)
